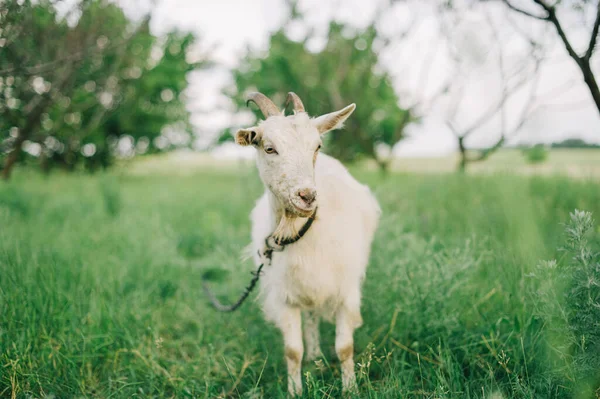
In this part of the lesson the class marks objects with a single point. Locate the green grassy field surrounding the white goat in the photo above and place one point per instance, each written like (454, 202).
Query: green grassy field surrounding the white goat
(100, 290)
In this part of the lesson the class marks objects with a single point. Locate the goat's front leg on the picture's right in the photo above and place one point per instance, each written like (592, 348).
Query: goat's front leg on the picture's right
(346, 321)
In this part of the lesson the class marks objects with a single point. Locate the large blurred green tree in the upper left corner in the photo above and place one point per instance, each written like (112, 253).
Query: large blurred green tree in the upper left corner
(73, 91)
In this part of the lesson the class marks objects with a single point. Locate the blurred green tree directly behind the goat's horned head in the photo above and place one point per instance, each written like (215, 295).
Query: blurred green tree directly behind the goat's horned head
(344, 71)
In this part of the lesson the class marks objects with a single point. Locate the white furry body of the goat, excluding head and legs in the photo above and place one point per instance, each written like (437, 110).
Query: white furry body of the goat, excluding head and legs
(329, 262)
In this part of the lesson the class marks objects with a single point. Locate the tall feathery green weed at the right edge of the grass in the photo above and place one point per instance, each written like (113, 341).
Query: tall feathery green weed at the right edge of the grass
(569, 301)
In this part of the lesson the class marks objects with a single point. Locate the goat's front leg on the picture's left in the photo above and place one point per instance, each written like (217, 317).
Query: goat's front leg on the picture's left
(291, 327)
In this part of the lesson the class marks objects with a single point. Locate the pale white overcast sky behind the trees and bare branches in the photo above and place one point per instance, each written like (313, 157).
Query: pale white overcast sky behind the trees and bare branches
(228, 27)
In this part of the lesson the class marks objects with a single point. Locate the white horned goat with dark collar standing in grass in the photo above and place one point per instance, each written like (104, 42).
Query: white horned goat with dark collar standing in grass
(320, 276)
